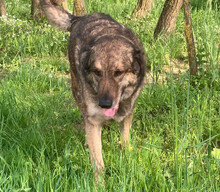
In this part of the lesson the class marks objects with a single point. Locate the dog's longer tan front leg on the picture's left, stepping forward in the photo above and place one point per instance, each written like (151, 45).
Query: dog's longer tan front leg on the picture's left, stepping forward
(93, 139)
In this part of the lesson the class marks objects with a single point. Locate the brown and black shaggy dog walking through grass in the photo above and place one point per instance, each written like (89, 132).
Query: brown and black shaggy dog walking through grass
(107, 67)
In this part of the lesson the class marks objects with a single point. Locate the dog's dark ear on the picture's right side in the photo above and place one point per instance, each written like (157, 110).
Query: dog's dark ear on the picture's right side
(138, 64)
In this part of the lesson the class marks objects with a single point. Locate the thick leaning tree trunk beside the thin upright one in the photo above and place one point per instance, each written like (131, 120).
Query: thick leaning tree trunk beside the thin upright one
(167, 21)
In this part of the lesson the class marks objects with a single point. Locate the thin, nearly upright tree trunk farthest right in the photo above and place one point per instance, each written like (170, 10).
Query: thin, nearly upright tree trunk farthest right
(189, 38)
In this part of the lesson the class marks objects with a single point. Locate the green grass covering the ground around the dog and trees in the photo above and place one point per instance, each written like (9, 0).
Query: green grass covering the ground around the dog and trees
(175, 128)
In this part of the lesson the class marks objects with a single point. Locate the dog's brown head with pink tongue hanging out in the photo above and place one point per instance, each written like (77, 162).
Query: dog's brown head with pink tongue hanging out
(114, 69)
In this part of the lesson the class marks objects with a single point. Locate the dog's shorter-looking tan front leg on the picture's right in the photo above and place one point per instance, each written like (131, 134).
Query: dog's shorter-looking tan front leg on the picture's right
(125, 128)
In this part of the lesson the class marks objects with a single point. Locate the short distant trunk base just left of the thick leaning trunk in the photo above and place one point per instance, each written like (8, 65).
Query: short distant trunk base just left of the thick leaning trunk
(143, 8)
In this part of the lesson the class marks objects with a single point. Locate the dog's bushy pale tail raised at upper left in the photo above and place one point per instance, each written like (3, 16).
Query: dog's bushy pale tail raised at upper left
(57, 16)
